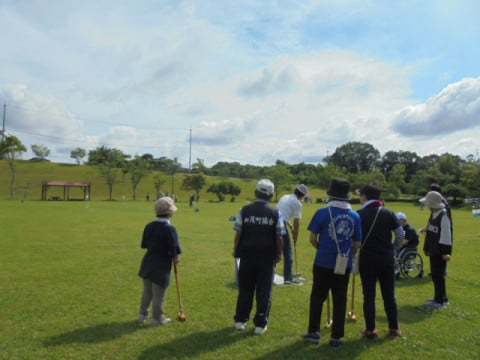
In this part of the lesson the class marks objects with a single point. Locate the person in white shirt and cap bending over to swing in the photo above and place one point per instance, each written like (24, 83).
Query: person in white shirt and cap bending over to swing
(290, 207)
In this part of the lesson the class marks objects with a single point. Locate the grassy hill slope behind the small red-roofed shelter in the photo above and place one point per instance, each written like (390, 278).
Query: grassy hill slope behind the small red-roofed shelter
(30, 175)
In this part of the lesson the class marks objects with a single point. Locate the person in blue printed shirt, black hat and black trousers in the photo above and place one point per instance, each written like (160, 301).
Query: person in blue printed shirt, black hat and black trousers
(333, 229)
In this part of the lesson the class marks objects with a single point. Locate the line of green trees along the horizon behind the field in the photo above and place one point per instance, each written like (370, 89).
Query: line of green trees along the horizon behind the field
(399, 173)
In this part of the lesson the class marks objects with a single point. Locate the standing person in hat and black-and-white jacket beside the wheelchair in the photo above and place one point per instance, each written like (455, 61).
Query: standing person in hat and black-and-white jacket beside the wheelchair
(437, 246)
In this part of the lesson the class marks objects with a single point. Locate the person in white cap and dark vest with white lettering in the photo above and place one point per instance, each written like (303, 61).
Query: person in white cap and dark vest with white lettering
(258, 242)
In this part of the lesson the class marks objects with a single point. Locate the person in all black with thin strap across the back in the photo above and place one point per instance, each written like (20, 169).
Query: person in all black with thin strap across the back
(377, 259)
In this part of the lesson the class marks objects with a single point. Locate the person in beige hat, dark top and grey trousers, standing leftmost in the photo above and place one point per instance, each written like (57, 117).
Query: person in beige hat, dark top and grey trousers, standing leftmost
(161, 241)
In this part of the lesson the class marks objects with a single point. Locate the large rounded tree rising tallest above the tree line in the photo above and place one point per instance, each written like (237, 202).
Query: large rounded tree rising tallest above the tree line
(355, 157)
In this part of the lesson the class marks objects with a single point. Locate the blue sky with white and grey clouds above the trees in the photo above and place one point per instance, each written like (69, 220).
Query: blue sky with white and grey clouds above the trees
(255, 81)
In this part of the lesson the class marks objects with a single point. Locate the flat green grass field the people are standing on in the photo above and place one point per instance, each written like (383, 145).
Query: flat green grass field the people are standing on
(70, 290)
